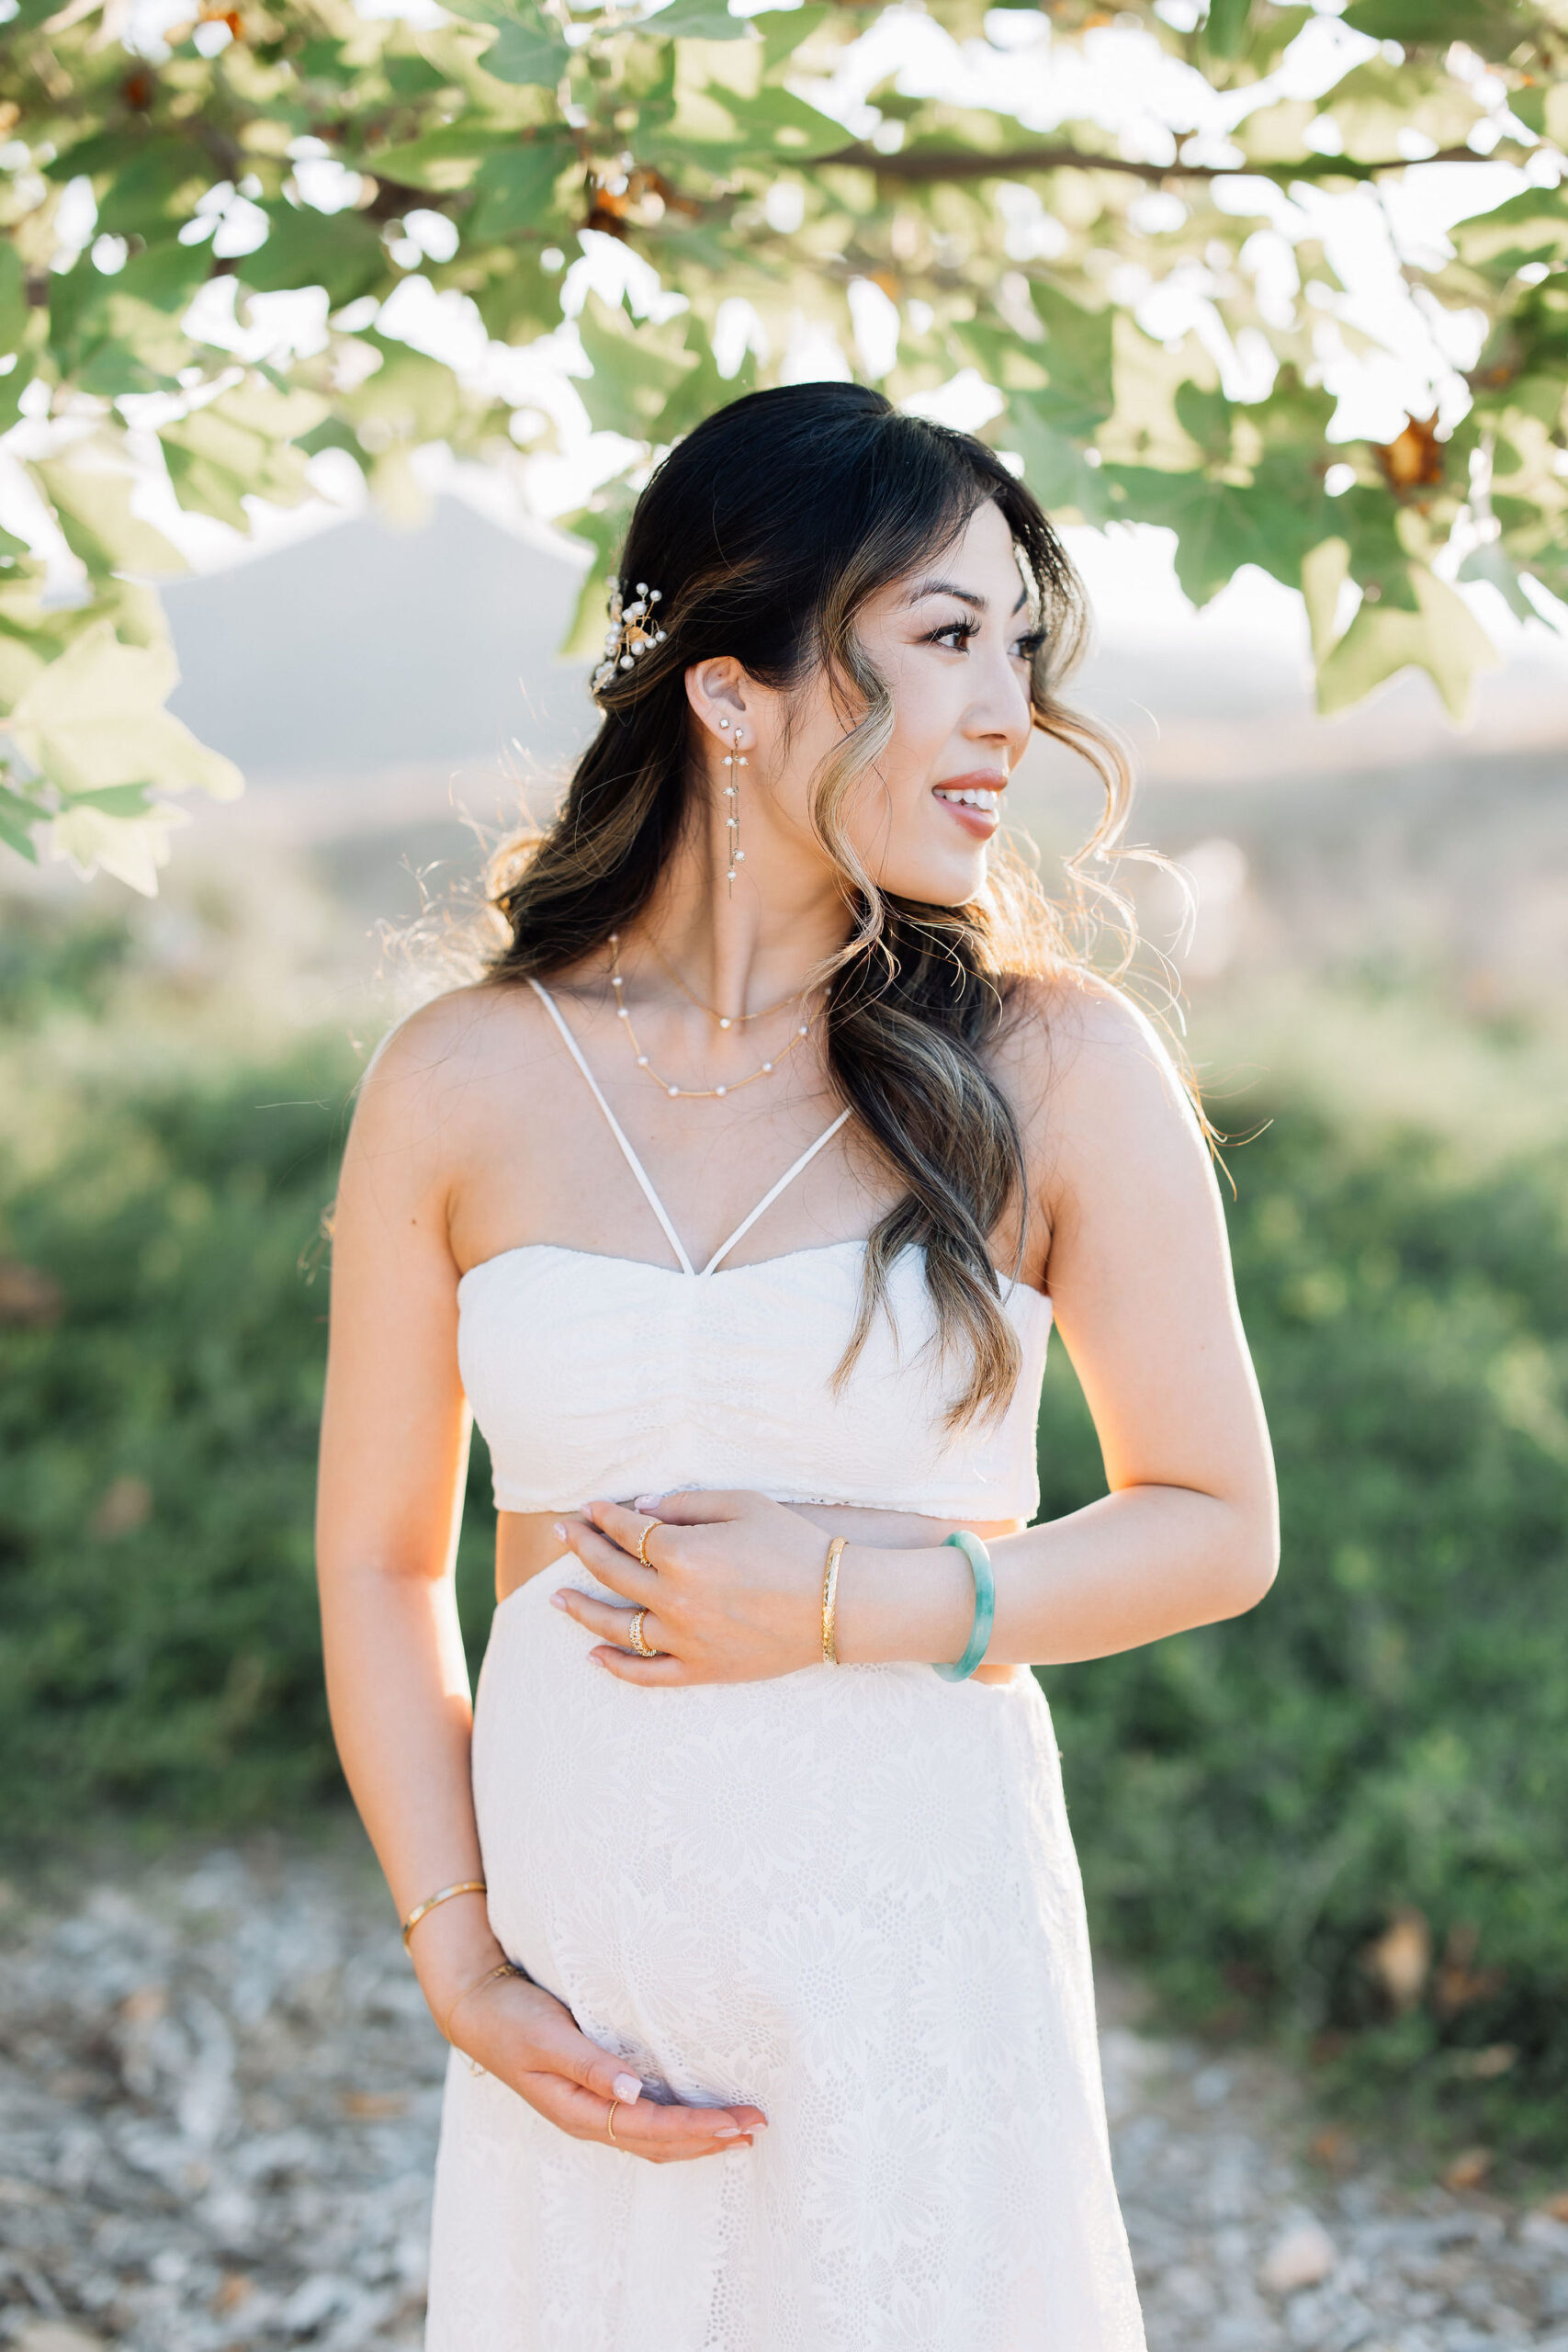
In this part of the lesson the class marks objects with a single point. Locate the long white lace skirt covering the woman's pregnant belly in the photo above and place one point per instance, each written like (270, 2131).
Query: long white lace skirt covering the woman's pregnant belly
(847, 1897)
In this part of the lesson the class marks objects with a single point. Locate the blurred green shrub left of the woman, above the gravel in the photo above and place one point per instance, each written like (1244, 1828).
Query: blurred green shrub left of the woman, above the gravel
(159, 1638)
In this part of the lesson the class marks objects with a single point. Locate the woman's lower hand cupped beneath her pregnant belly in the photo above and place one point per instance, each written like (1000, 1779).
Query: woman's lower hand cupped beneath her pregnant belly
(530, 2043)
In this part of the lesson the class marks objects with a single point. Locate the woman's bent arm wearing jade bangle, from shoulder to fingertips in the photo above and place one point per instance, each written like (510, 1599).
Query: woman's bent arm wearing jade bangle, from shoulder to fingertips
(1146, 1307)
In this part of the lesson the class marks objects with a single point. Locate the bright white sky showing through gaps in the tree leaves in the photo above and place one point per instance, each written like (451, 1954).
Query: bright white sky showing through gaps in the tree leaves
(1123, 81)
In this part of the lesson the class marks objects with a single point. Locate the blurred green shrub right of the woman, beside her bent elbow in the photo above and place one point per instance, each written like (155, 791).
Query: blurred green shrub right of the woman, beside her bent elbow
(1388, 1730)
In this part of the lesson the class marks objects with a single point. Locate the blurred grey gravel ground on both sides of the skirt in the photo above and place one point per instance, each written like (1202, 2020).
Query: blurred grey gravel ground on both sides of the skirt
(220, 2097)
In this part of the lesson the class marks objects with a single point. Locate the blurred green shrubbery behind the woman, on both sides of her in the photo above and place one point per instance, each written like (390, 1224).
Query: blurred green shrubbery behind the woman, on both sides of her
(1343, 1812)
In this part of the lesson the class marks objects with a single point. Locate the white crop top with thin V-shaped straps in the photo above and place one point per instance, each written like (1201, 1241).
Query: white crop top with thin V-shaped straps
(617, 1377)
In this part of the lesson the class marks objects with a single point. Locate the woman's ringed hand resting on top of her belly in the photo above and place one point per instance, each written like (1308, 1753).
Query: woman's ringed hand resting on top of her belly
(732, 1591)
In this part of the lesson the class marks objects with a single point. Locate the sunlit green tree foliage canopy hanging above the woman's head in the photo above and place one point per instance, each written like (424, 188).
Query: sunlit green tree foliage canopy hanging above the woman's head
(1148, 298)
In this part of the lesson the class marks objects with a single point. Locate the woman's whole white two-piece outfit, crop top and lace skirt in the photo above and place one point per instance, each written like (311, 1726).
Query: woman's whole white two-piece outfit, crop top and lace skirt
(847, 1897)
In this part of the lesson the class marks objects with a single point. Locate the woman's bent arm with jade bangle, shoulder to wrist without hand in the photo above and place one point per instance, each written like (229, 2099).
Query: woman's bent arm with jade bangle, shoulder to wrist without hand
(1146, 1307)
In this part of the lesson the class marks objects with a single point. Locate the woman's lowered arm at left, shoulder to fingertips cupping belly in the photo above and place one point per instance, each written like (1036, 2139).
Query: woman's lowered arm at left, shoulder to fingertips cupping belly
(391, 1488)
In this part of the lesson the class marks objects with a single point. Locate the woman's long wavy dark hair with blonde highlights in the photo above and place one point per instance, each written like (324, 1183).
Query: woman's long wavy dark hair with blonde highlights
(768, 530)
